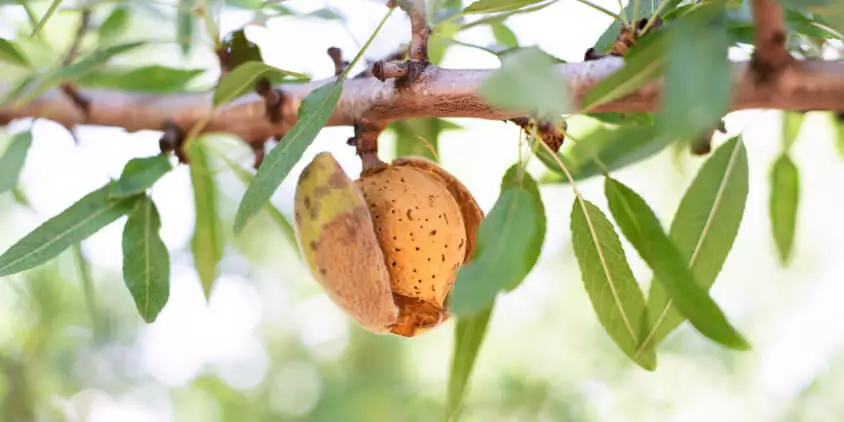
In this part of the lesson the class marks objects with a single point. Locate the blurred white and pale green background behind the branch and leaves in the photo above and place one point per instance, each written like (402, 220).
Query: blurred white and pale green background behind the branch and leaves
(270, 346)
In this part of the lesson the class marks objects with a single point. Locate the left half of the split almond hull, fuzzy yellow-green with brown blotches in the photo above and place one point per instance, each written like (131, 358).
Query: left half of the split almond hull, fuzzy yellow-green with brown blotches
(338, 242)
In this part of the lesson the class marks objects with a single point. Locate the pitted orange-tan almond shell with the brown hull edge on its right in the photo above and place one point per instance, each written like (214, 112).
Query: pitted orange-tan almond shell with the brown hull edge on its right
(426, 222)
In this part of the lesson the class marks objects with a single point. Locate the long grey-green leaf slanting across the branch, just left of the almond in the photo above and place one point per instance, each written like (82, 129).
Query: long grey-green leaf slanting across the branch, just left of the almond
(313, 114)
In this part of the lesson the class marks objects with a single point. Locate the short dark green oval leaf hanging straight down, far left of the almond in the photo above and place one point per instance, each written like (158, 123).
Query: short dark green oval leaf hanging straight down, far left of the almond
(146, 261)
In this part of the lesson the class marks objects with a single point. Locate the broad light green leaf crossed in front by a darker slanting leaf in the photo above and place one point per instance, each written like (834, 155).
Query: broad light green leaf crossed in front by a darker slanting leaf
(703, 230)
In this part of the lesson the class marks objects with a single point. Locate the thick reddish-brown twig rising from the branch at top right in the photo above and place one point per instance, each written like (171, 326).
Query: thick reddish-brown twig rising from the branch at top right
(770, 56)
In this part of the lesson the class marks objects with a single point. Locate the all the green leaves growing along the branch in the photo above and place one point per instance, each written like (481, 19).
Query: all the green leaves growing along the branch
(689, 50)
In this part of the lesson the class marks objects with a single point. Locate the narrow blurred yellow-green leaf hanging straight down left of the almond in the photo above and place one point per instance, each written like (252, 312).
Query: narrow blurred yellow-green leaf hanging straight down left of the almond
(207, 241)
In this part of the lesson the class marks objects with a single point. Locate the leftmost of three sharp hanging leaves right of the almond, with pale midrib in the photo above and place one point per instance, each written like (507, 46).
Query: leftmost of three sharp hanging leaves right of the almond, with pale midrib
(615, 295)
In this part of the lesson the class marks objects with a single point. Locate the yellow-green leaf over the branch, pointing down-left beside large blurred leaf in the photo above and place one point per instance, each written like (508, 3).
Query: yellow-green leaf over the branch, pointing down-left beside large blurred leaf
(643, 63)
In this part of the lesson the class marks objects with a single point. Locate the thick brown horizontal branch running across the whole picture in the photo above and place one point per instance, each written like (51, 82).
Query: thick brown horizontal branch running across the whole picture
(806, 85)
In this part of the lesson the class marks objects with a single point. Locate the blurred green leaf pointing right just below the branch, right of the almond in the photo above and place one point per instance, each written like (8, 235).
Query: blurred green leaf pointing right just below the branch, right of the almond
(607, 147)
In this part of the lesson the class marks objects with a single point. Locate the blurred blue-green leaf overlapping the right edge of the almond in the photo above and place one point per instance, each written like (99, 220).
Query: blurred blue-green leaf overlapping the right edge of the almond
(508, 246)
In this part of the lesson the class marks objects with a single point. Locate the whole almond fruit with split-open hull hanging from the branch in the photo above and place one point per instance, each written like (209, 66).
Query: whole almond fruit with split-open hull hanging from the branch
(386, 247)
